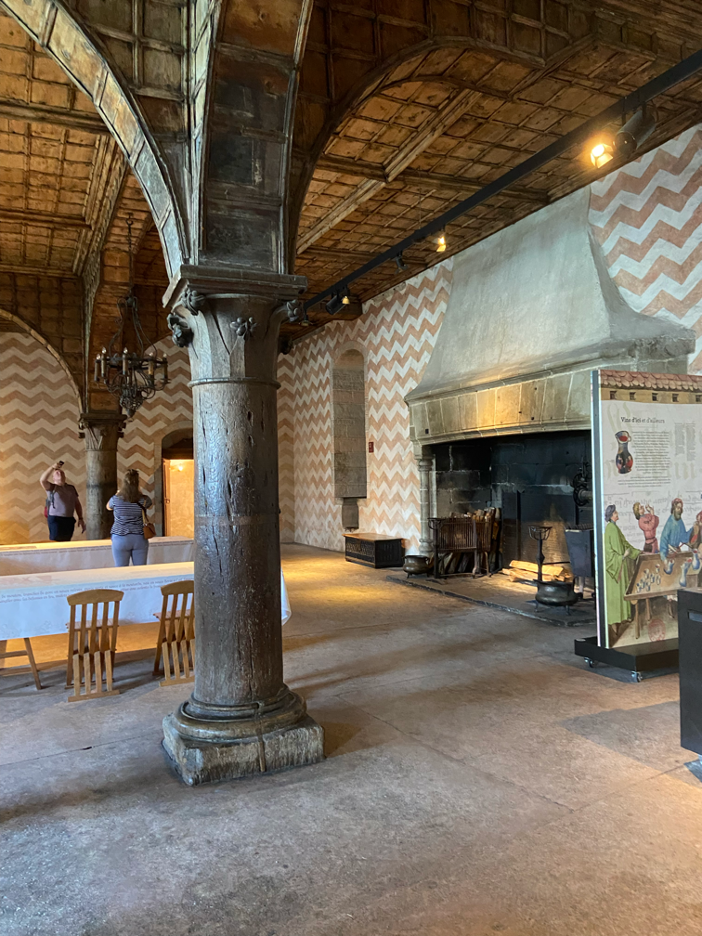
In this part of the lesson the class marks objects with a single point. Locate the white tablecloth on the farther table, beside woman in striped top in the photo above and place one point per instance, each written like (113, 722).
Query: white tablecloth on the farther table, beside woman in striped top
(26, 558)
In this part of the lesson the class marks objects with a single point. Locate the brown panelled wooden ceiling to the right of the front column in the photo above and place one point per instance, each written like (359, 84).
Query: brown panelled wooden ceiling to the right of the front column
(441, 123)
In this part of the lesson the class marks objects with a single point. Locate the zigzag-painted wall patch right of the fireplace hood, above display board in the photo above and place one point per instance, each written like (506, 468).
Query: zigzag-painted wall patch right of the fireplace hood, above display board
(647, 217)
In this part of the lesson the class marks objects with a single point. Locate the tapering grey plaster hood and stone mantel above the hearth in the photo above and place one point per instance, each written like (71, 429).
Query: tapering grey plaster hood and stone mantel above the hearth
(532, 311)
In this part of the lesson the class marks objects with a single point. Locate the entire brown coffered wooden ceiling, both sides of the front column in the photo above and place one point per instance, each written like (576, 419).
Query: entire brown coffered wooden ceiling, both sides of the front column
(405, 107)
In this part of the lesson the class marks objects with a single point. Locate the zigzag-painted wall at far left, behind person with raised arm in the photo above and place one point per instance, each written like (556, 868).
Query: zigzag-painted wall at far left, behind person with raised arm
(38, 425)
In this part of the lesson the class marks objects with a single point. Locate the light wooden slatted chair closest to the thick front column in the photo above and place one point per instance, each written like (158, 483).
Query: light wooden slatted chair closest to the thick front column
(176, 636)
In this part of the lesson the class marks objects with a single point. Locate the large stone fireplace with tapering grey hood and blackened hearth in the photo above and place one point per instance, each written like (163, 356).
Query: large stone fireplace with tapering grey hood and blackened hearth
(501, 416)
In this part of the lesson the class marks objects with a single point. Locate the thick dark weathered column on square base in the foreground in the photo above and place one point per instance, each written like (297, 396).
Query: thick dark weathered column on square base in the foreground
(241, 718)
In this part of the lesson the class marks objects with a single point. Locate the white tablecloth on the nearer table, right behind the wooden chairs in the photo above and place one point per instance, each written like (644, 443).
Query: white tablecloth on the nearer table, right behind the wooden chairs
(35, 605)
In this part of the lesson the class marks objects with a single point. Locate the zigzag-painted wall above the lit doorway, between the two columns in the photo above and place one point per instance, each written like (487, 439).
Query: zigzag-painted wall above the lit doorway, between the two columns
(169, 409)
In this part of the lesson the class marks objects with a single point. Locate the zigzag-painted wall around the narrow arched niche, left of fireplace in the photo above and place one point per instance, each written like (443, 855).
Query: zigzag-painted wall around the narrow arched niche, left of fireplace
(396, 336)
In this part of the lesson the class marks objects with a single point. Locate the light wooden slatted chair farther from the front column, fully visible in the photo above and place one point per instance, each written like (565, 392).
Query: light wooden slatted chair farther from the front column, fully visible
(92, 639)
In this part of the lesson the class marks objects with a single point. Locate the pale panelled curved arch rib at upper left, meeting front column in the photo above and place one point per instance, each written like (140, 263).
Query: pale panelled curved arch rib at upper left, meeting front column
(59, 32)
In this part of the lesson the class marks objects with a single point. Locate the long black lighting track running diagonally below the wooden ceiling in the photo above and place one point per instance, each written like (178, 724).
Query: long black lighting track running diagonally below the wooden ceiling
(631, 103)
